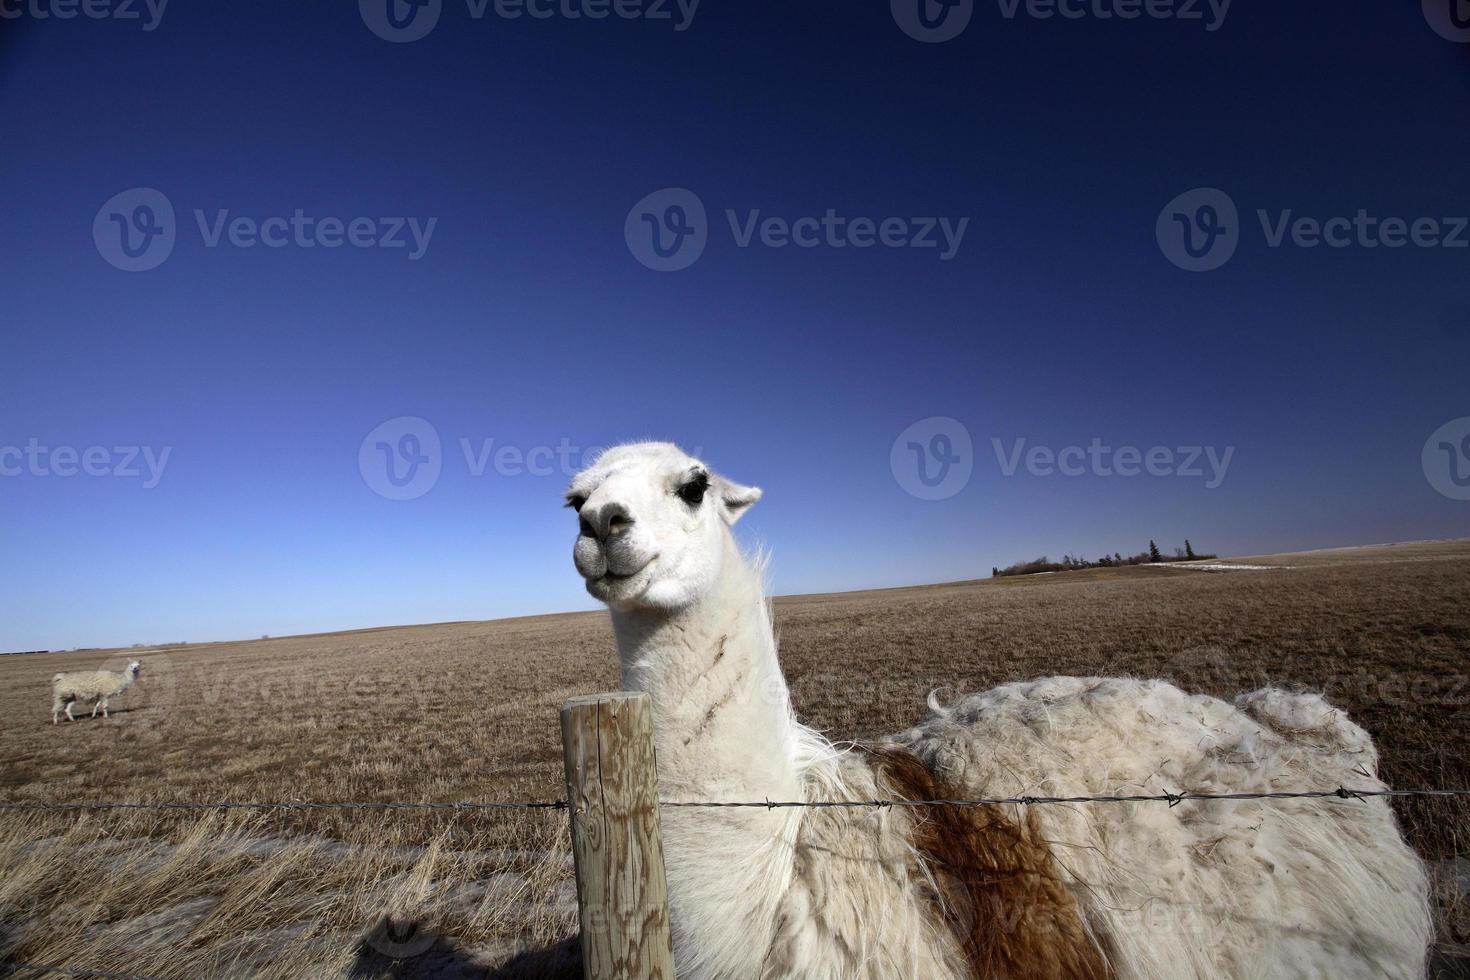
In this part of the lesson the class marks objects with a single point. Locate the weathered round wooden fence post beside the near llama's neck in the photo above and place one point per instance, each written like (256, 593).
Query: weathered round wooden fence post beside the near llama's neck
(614, 796)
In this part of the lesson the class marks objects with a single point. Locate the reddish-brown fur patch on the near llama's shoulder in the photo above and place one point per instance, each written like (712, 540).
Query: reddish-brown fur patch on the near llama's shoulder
(994, 881)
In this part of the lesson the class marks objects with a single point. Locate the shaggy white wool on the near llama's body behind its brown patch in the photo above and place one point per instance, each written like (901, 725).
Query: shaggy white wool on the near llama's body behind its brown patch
(1288, 888)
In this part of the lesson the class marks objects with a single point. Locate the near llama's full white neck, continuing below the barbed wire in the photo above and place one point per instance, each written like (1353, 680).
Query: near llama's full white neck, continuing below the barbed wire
(724, 731)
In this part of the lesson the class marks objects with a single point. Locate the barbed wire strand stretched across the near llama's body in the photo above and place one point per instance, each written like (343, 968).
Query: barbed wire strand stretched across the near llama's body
(1174, 800)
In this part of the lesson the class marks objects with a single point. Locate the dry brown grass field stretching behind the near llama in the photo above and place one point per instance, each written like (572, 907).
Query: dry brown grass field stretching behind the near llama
(468, 712)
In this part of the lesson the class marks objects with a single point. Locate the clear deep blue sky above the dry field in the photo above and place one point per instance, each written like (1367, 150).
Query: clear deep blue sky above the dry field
(528, 318)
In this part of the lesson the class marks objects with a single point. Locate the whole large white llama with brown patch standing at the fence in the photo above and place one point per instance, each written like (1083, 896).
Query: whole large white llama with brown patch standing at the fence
(1316, 888)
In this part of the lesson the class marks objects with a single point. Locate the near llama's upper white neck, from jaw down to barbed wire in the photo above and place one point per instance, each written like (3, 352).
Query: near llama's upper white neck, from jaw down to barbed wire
(723, 713)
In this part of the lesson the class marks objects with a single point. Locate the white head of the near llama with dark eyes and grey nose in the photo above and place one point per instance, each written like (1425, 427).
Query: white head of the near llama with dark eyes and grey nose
(653, 525)
